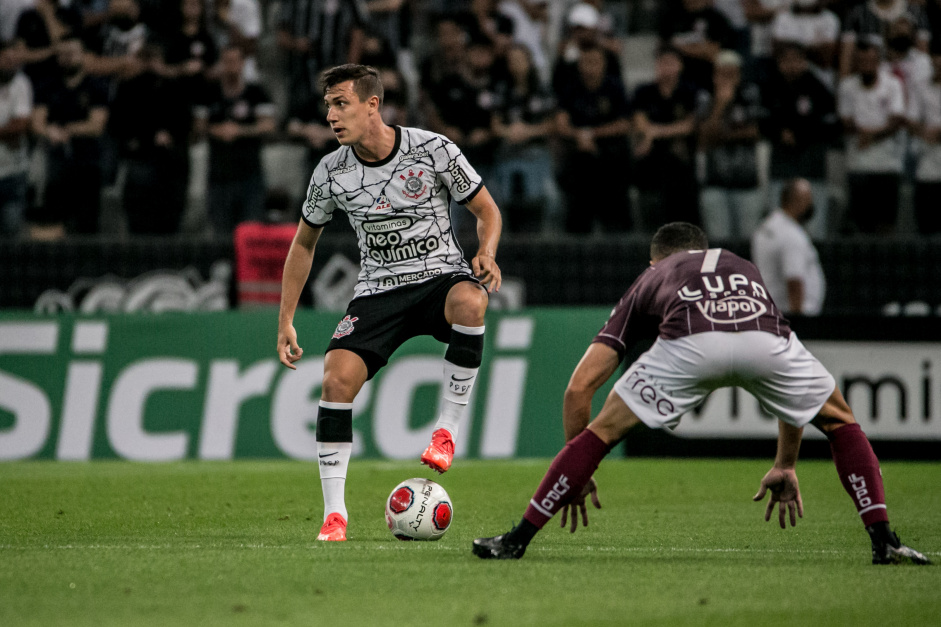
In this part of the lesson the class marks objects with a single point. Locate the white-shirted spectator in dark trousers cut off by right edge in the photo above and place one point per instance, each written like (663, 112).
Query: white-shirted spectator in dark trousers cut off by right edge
(924, 115)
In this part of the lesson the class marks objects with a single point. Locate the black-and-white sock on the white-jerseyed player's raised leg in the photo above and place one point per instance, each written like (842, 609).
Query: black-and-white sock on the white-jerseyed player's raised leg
(461, 363)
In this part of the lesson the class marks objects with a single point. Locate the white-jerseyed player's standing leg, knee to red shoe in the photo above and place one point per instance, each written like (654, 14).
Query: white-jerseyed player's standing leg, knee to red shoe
(344, 375)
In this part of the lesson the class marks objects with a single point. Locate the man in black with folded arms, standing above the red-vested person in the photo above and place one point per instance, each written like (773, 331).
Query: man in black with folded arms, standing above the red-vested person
(239, 116)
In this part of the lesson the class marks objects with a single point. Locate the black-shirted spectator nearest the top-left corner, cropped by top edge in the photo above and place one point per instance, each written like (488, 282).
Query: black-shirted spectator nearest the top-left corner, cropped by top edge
(38, 30)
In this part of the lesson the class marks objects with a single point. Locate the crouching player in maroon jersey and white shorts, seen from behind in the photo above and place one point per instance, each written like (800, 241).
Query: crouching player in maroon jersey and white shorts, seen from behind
(718, 327)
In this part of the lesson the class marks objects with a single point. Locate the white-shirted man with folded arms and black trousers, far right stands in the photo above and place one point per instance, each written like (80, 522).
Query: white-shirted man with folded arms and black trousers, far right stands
(872, 106)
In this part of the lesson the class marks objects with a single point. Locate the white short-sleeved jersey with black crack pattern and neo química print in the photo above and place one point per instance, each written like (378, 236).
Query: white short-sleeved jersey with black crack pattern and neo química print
(398, 207)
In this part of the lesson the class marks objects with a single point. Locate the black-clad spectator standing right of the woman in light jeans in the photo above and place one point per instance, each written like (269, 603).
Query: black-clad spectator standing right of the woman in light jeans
(593, 121)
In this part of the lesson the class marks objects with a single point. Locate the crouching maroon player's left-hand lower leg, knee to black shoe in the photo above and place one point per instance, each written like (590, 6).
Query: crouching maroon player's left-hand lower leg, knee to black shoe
(570, 472)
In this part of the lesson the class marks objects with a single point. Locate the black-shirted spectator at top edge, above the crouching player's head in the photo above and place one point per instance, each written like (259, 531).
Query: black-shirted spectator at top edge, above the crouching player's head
(699, 32)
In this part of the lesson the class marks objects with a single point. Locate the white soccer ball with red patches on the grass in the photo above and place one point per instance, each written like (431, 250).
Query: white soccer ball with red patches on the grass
(418, 509)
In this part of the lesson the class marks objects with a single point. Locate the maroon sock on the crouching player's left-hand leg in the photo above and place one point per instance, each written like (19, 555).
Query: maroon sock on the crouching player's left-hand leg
(570, 471)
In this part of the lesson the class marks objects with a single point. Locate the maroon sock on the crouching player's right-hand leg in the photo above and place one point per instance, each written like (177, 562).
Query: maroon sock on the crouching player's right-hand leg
(859, 471)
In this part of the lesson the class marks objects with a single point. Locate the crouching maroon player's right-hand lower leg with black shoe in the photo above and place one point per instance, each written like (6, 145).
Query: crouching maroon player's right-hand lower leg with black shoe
(858, 469)
